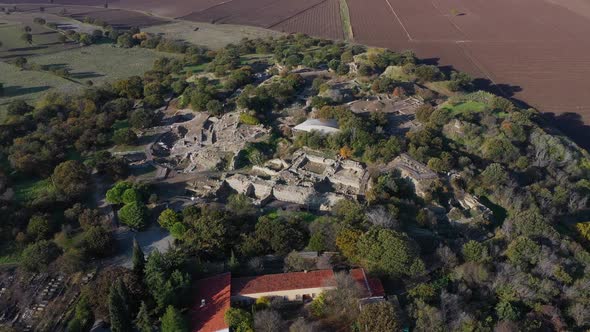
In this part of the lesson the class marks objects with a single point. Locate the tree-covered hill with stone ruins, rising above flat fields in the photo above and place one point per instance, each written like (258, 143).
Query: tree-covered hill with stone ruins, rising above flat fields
(470, 210)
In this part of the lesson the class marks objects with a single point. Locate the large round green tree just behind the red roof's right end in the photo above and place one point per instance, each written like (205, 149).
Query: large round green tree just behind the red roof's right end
(389, 252)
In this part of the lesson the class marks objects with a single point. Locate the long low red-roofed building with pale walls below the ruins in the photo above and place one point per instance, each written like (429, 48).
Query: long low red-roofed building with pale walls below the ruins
(215, 294)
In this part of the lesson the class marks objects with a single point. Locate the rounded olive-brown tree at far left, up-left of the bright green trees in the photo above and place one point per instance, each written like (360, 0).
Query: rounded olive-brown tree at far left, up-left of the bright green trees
(71, 178)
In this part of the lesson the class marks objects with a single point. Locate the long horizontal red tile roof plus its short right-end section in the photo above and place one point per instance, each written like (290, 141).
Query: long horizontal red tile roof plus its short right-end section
(301, 280)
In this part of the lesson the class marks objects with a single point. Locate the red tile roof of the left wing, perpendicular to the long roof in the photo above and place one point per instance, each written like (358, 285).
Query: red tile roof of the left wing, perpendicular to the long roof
(216, 291)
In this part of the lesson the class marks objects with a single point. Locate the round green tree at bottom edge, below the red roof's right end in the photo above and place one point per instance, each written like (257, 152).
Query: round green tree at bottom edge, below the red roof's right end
(378, 317)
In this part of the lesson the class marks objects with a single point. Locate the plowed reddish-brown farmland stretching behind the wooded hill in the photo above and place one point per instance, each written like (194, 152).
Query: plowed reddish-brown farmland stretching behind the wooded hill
(534, 50)
